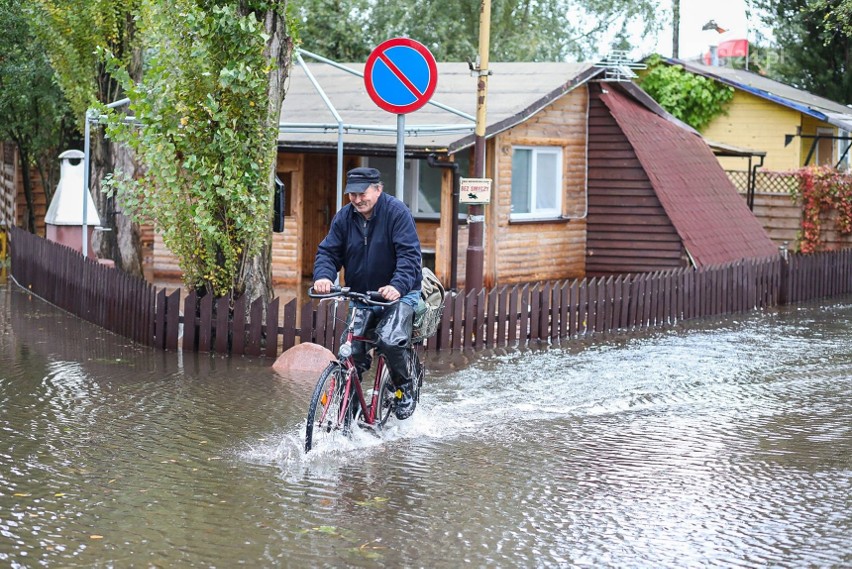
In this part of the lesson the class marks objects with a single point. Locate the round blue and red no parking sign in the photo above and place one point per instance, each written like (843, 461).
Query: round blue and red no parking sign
(401, 75)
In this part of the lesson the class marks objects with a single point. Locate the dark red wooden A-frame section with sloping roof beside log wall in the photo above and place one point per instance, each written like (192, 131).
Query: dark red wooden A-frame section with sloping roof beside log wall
(658, 199)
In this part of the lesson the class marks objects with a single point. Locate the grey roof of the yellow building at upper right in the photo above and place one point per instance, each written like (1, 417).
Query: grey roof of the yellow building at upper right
(837, 113)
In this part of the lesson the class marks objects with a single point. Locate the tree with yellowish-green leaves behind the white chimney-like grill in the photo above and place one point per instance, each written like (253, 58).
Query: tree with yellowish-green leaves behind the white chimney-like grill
(71, 32)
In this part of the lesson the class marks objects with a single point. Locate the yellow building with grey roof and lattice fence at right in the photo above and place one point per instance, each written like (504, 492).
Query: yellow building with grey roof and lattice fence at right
(769, 131)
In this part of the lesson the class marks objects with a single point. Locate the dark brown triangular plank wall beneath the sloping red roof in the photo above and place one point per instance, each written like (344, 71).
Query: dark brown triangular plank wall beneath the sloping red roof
(628, 230)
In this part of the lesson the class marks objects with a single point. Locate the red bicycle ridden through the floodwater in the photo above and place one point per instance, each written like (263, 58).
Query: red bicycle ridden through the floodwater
(339, 399)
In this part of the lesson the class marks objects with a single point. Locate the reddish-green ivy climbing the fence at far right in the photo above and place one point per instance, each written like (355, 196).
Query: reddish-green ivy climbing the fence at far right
(822, 190)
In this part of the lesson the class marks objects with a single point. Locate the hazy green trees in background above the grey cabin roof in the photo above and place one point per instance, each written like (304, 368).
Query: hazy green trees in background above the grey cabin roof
(521, 30)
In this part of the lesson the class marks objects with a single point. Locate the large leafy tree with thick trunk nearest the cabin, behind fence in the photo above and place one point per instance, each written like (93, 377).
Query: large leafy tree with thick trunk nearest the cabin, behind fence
(206, 113)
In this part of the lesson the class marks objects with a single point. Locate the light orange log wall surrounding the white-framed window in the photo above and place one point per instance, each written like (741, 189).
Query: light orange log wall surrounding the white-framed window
(525, 251)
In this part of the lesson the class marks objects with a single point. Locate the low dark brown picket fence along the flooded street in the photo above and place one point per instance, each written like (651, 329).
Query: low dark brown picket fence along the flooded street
(504, 316)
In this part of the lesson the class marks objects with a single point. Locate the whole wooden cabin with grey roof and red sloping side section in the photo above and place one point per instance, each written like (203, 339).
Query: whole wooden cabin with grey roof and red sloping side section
(580, 185)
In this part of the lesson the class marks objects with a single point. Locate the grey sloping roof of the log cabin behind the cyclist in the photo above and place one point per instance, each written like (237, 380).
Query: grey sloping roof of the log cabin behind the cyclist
(515, 90)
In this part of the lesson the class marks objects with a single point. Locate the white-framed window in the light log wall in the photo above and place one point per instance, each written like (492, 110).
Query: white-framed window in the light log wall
(536, 182)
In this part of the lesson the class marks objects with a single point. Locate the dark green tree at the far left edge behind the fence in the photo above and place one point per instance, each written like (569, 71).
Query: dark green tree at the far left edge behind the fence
(33, 111)
